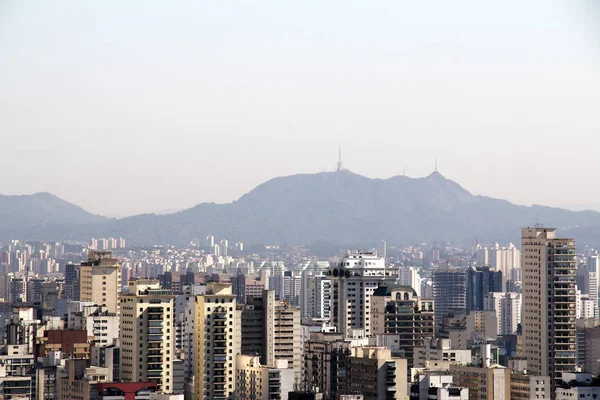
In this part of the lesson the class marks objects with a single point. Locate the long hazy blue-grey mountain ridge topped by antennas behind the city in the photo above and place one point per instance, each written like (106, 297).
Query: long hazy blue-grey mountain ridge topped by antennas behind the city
(334, 207)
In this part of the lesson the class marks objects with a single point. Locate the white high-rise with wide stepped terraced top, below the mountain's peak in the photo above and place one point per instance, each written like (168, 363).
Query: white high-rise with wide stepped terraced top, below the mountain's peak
(353, 281)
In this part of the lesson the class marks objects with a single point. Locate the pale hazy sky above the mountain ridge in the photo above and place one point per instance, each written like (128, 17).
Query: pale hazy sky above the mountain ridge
(136, 106)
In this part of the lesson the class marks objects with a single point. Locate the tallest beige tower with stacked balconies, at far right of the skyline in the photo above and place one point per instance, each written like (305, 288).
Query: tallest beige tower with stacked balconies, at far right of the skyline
(549, 302)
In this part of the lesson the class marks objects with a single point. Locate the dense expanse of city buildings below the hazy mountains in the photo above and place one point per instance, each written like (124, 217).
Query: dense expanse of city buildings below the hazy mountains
(100, 320)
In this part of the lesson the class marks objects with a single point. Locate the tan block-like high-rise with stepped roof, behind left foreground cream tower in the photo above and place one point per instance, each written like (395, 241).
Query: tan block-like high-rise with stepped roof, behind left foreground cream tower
(100, 280)
